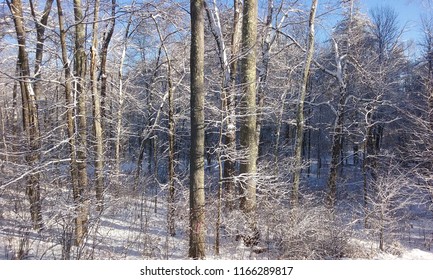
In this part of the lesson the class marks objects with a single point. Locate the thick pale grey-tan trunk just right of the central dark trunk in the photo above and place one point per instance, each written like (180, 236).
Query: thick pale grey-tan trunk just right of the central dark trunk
(248, 122)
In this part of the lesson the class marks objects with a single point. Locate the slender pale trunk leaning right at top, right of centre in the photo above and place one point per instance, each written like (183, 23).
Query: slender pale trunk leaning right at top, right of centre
(300, 110)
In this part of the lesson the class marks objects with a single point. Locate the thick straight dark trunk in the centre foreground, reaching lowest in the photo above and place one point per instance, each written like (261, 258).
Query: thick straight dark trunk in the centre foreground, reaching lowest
(197, 196)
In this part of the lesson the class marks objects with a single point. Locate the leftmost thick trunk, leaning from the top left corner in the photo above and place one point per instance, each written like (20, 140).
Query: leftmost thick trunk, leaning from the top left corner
(30, 116)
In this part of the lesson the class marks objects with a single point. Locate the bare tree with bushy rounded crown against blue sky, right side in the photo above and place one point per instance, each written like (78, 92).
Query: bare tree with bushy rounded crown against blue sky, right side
(385, 65)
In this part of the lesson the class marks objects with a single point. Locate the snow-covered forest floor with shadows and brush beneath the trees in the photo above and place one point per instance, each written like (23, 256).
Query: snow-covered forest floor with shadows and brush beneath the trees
(133, 226)
